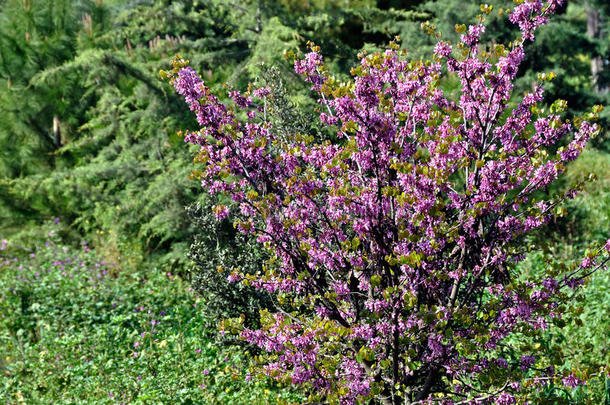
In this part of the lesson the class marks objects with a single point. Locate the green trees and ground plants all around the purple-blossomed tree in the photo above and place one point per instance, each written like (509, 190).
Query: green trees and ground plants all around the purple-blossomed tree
(91, 150)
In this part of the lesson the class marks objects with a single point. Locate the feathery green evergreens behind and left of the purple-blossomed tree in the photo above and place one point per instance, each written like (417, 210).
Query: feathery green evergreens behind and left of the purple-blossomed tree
(91, 131)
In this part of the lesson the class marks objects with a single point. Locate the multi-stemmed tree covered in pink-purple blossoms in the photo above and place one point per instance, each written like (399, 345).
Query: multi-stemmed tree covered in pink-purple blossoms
(394, 243)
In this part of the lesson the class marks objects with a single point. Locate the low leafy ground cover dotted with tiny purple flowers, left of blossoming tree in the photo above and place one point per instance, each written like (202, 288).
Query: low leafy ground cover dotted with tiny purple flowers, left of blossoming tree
(77, 329)
